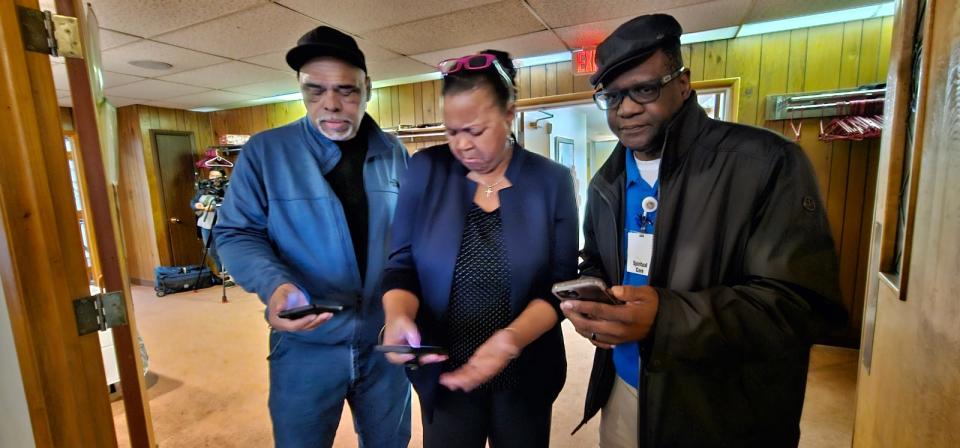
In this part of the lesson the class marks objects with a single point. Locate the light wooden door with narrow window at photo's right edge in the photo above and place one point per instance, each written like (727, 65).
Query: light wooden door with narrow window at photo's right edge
(908, 387)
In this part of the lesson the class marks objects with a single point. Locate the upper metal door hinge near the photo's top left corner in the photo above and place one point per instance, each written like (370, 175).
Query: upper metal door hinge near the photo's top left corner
(45, 32)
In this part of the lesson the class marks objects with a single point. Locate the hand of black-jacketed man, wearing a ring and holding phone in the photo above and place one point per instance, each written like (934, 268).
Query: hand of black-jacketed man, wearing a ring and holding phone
(608, 325)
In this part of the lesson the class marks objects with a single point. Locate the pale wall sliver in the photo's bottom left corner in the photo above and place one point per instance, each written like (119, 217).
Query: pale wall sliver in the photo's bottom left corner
(15, 428)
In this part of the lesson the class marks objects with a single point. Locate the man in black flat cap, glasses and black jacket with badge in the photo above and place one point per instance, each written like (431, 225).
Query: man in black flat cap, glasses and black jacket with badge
(716, 236)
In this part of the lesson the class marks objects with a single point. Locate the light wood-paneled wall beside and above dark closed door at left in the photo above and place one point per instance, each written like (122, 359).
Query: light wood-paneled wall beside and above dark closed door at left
(141, 210)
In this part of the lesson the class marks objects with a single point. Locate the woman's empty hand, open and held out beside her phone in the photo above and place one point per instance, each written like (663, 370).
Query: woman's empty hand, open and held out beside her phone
(489, 359)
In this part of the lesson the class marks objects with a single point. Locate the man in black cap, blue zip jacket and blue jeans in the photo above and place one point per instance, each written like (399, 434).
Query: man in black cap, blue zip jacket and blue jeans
(307, 219)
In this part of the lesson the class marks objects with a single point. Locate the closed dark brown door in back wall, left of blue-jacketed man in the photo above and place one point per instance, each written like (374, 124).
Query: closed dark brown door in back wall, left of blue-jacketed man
(175, 159)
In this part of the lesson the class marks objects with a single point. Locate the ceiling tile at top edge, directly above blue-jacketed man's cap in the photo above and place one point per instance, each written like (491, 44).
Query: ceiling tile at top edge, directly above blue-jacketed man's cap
(366, 15)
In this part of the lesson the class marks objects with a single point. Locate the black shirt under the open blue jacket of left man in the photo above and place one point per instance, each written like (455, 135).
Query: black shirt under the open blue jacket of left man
(346, 179)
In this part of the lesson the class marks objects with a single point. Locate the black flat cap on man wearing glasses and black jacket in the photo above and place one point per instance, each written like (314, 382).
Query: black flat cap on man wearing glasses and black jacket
(633, 42)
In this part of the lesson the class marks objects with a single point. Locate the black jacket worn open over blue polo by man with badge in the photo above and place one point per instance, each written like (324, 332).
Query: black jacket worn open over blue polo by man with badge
(746, 270)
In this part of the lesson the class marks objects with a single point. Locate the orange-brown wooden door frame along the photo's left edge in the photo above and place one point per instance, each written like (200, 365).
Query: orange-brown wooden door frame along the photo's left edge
(42, 267)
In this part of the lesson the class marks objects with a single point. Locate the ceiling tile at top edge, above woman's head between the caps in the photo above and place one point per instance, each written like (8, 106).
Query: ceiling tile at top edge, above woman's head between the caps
(485, 23)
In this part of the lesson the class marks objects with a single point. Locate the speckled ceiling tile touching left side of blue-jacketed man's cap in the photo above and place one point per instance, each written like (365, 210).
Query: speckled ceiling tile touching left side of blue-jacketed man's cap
(264, 29)
